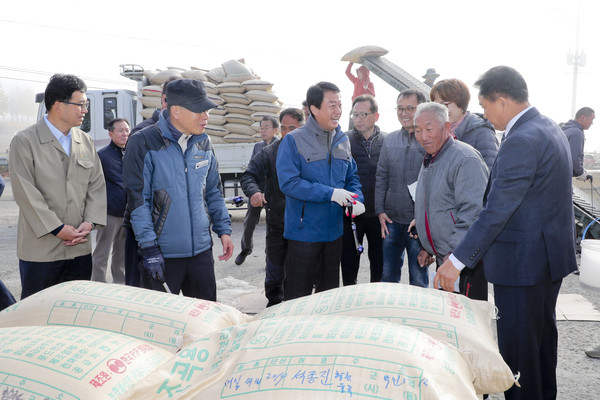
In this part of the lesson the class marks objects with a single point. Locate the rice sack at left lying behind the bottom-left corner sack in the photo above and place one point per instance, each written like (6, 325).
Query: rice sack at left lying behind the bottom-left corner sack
(166, 320)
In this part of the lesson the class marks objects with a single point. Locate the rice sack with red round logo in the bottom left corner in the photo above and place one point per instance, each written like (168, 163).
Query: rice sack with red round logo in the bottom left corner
(51, 362)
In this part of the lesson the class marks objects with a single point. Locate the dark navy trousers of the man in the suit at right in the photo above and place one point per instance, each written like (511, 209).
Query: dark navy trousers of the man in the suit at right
(528, 337)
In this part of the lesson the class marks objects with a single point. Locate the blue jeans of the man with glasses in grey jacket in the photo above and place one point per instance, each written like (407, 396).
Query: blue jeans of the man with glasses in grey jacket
(393, 256)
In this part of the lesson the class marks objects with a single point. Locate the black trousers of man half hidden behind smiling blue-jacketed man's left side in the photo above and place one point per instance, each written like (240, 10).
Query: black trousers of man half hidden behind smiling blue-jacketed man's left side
(276, 249)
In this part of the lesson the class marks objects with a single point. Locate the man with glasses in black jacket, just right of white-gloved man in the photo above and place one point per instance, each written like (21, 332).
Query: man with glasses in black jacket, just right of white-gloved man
(365, 140)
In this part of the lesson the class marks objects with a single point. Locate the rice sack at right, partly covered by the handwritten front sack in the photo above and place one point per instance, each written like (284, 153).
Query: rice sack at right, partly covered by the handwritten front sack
(450, 318)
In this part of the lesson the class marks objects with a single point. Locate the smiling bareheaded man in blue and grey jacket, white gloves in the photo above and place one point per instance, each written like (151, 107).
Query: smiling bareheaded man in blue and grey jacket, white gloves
(318, 175)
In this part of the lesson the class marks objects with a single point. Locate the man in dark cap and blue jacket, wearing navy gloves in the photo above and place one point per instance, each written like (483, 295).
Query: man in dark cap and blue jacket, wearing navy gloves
(174, 195)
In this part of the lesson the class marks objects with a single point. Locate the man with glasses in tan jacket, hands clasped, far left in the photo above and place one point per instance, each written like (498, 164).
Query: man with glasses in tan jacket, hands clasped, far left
(58, 184)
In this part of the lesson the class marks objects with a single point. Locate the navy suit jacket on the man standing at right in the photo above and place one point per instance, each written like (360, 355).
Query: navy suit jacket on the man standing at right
(525, 232)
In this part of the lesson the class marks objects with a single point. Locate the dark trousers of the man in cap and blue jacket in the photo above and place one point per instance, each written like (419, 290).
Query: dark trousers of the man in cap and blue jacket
(194, 276)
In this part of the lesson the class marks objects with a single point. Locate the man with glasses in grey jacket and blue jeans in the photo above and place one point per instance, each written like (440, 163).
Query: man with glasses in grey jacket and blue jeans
(399, 163)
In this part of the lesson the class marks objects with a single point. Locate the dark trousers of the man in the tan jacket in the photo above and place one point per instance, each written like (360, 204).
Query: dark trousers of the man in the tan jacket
(37, 276)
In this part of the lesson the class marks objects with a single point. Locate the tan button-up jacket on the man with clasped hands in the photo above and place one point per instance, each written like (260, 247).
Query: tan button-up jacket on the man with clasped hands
(52, 189)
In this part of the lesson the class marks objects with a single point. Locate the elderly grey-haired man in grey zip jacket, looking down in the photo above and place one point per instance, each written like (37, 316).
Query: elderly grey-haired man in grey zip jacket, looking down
(449, 194)
